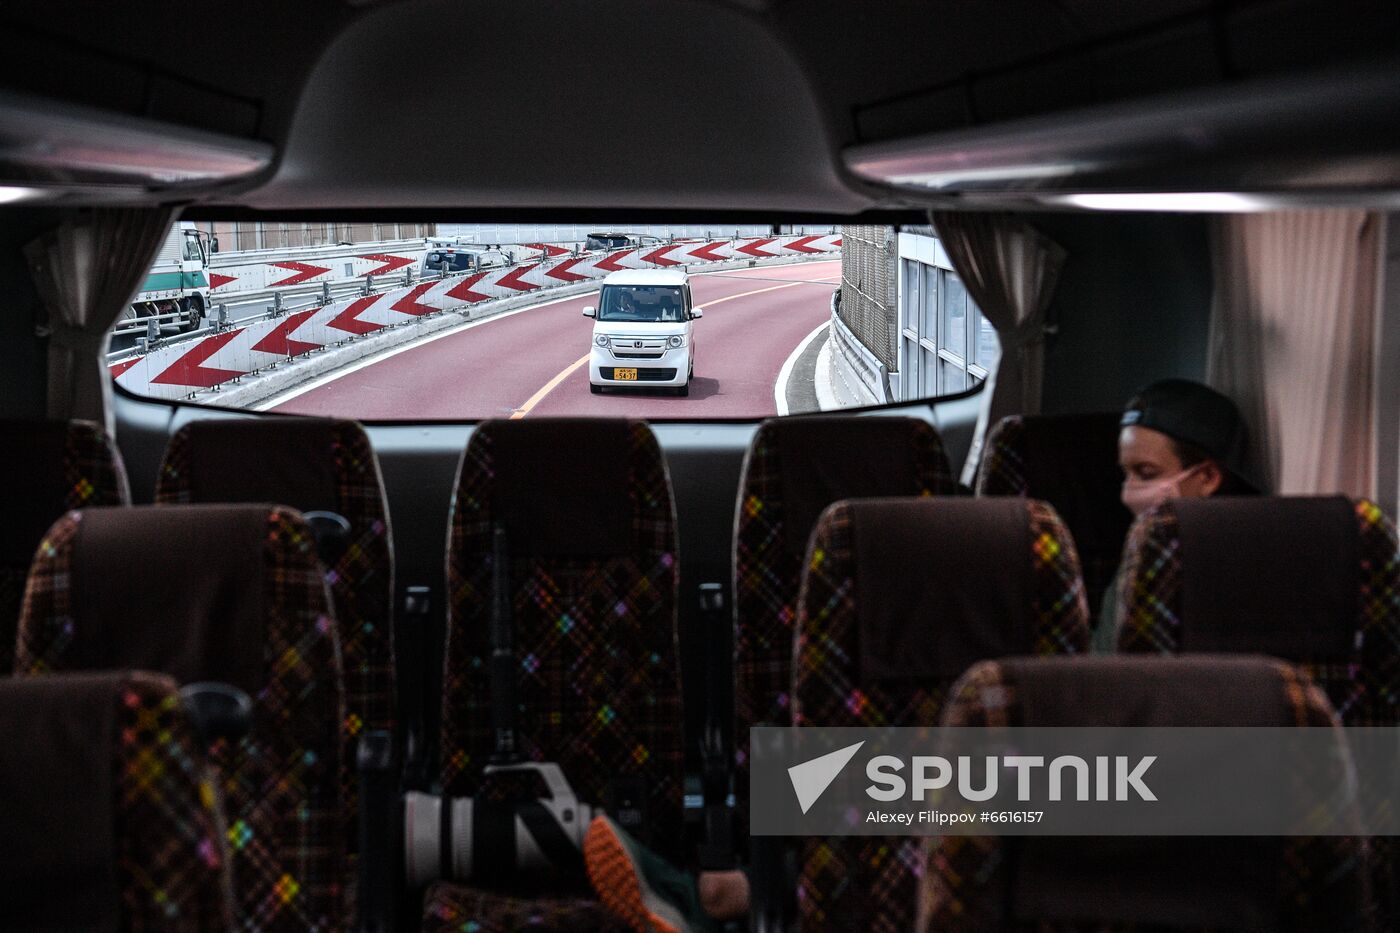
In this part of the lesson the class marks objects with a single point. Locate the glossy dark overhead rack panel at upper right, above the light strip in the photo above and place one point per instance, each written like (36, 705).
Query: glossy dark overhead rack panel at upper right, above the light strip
(1304, 141)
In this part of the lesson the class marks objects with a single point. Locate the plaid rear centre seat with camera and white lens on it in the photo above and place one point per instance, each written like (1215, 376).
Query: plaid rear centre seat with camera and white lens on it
(590, 522)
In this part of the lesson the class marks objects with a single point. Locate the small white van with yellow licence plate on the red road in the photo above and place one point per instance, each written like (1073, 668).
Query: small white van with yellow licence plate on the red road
(643, 331)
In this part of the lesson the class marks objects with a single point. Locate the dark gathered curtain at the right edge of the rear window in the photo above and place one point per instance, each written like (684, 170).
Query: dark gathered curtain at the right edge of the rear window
(1010, 271)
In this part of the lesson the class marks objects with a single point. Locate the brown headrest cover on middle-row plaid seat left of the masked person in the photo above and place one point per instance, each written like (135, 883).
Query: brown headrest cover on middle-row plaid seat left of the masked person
(940, 583)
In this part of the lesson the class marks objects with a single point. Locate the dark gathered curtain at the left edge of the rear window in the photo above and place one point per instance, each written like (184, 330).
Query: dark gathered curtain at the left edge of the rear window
(86, 271)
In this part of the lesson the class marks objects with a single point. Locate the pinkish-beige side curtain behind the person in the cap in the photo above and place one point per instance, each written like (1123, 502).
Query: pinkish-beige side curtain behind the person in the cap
(1294, 340)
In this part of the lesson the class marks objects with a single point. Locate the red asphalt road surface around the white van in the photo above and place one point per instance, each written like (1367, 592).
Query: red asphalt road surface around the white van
(503, 368)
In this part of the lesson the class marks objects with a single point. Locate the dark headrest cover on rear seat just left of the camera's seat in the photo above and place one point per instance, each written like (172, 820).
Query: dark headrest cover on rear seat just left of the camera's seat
(283, 460)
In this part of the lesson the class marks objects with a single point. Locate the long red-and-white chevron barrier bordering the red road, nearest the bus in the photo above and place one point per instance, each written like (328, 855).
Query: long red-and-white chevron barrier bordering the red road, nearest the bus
(181, 369)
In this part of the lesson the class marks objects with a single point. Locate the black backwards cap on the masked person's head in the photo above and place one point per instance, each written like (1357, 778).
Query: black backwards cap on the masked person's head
(1196, 415)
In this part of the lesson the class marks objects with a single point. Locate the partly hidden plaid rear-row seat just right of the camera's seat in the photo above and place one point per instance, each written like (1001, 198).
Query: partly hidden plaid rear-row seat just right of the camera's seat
(794, 469)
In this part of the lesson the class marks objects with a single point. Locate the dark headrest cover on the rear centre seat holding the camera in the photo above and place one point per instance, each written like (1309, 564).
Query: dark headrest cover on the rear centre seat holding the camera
(562, 487)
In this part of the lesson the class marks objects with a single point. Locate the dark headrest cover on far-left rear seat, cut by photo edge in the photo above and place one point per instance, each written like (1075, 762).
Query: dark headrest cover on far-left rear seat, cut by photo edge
(36, 481)
